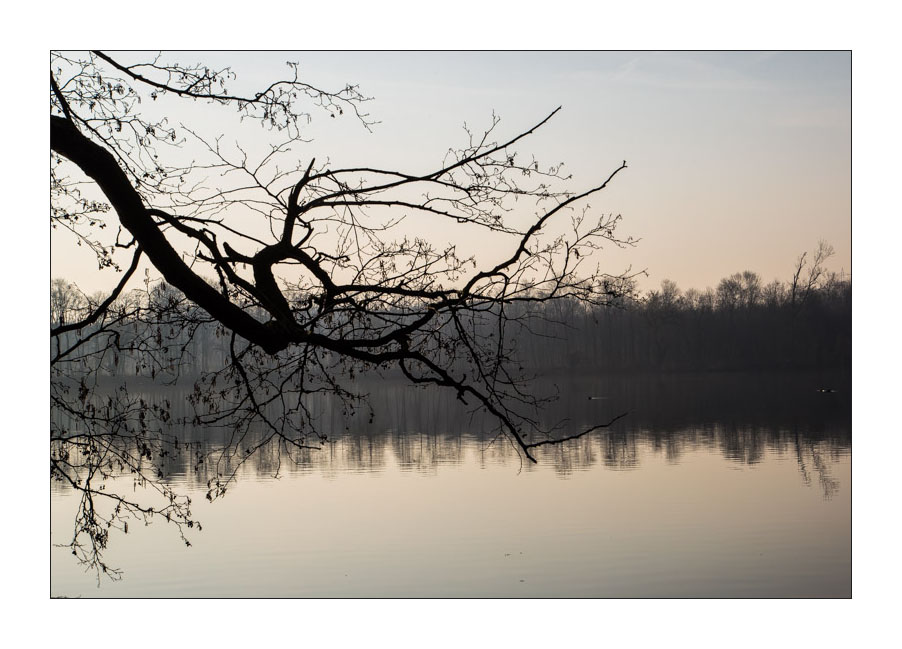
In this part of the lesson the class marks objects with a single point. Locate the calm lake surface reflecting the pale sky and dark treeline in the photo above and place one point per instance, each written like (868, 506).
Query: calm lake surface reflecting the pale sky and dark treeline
(728, 485)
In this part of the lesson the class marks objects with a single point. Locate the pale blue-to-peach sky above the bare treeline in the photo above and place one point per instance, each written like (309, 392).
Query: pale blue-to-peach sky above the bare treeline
(736, 160)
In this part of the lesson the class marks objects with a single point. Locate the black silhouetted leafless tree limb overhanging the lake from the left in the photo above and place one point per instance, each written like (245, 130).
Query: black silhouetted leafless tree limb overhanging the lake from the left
(317, 273)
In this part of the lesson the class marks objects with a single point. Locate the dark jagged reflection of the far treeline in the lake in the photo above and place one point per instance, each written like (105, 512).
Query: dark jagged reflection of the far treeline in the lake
(743, 418)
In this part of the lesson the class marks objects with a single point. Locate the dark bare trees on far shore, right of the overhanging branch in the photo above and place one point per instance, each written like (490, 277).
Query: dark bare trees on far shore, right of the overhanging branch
(740, 325)
